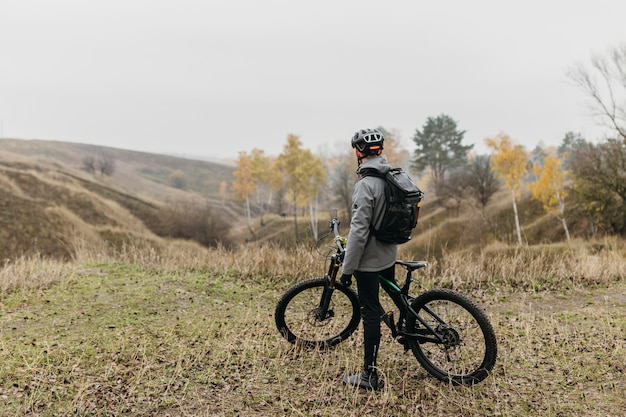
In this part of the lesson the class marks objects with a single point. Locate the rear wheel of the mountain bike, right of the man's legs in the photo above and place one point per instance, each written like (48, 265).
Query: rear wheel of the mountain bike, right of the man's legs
(470, 352)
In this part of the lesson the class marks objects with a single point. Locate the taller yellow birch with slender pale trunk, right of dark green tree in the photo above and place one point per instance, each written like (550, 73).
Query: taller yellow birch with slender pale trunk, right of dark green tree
(509, 164)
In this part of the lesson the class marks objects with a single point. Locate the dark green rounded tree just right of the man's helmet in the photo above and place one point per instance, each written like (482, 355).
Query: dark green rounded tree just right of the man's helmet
(439, 148)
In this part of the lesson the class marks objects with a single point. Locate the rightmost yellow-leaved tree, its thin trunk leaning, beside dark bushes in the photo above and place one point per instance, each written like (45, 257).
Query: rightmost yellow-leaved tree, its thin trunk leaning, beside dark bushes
(549, 188)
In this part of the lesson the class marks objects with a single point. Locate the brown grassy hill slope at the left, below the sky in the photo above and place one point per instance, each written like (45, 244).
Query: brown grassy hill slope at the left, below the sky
(50, 205)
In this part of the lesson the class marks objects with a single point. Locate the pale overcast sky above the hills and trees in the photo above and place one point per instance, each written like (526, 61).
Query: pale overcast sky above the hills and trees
(212, 78)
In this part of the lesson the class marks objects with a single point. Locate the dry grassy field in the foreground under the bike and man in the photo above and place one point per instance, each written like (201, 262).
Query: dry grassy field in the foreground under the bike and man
(189, 332)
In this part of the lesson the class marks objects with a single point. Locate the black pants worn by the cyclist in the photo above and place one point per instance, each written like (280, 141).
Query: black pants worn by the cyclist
(368, 284)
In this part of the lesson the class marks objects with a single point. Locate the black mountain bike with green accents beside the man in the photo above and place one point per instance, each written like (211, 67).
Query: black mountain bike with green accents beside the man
(447, 332)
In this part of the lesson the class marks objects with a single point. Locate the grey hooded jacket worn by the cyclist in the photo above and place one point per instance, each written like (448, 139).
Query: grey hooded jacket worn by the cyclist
(363, 251)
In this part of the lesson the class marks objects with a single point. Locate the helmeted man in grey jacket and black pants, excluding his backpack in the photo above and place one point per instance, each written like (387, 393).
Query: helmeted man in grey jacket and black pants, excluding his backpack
(367, 258)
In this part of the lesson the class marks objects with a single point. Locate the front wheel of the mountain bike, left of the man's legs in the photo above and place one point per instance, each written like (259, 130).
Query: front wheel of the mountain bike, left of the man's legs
(297, 322)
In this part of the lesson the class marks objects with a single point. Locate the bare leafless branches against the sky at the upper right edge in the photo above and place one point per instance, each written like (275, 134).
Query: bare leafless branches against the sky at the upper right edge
(608, 94)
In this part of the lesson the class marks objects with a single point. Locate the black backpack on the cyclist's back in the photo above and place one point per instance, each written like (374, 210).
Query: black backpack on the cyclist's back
(402, 204)
